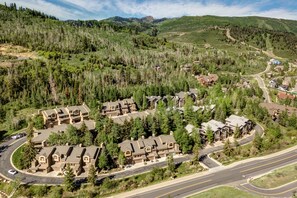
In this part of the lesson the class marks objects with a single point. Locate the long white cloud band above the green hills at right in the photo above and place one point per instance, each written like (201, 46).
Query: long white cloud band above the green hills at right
(160, 9)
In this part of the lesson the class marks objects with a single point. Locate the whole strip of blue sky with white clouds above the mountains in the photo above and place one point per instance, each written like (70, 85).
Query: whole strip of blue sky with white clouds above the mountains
(101, 9)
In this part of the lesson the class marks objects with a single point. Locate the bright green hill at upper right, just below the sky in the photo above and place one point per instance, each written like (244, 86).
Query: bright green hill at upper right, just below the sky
(277, 35)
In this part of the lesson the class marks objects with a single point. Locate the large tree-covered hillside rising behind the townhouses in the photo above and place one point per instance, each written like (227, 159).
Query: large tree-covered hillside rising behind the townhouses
(94, 62)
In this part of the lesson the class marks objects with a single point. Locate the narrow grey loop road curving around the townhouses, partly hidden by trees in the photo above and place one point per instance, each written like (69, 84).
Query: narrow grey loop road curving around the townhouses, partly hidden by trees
(33, 179)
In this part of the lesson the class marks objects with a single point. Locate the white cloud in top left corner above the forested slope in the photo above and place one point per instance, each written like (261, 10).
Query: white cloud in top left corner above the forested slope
(47, 7)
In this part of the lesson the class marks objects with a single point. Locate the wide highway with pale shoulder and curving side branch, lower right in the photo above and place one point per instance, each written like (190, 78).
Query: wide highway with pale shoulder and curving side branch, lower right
(232, 174)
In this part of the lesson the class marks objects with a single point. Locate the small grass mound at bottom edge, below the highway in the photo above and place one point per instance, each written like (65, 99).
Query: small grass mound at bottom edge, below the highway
(225, 192)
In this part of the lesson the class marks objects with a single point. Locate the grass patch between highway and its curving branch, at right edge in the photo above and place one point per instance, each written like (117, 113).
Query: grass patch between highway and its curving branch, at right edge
(277, 177)
